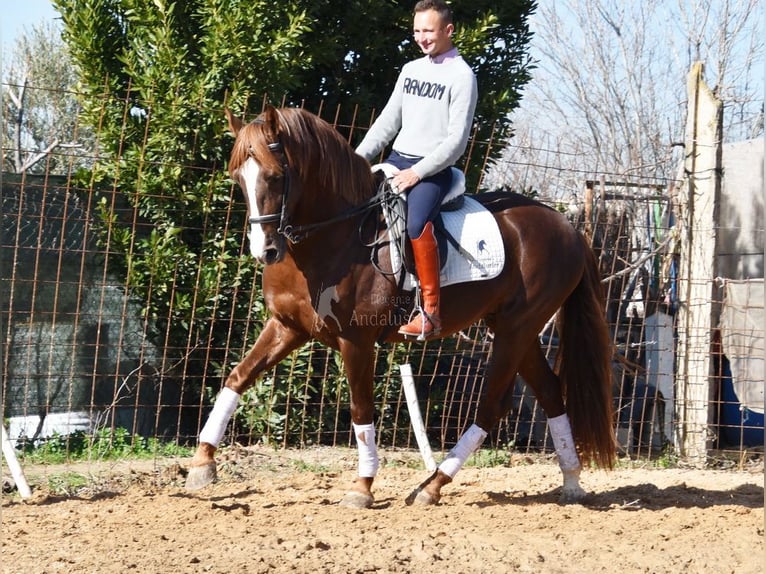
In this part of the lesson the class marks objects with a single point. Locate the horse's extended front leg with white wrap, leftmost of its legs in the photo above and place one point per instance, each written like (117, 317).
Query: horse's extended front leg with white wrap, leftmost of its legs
(274, 343)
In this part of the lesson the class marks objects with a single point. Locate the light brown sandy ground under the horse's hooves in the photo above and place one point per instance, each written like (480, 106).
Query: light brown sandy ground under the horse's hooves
(276, 511)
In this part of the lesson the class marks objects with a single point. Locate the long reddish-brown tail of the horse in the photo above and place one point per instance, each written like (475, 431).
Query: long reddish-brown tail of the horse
(585, 354)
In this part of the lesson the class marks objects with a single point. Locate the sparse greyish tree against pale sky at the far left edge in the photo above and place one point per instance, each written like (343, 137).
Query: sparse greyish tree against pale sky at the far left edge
(41, 131)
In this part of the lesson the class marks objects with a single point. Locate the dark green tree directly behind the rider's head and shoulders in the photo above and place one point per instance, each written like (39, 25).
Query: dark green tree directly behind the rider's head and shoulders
(358, 59)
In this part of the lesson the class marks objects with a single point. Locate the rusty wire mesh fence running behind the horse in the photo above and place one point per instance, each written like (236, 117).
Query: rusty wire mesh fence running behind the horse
(87, 354)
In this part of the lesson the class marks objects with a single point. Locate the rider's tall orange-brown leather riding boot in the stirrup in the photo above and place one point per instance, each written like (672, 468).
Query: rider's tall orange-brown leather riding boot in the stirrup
(427, 323)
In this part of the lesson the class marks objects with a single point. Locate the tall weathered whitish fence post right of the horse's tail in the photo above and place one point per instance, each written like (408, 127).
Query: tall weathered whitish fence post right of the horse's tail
(698, 310)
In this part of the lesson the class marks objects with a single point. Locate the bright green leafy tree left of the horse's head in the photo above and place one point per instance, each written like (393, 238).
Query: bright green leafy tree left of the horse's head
(154, 79)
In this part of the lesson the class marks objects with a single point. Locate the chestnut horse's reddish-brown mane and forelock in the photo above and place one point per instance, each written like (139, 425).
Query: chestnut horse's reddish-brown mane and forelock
(312, 147)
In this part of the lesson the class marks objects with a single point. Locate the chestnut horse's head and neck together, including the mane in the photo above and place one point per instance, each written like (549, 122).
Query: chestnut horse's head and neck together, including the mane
(298, 174)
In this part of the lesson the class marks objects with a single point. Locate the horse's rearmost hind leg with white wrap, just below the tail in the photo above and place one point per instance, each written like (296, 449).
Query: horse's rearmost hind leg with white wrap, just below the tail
(537, 373)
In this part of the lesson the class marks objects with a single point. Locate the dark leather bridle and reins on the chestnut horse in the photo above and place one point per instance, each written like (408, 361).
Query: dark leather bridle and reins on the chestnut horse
(297, 233)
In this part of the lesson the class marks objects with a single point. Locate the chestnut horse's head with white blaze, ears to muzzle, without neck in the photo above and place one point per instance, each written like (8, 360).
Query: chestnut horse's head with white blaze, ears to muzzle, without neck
(259, 165)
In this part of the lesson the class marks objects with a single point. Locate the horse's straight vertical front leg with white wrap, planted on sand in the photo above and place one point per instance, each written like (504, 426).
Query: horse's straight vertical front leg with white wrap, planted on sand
(359, 360)
